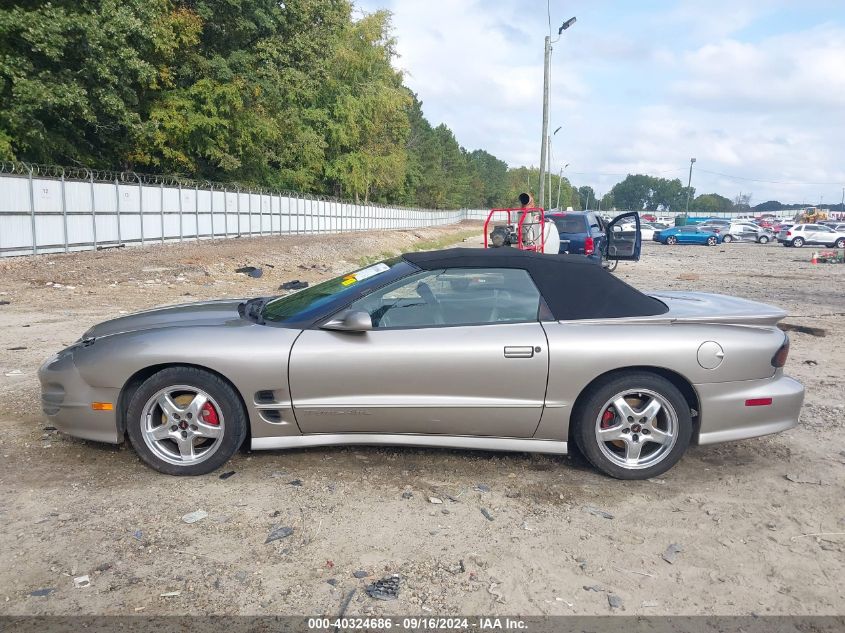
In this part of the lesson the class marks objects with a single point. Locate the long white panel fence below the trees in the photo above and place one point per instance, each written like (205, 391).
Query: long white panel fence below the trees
(50, 209)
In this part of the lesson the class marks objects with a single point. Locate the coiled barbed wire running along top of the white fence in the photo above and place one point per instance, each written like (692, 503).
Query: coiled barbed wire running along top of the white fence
(37, 170)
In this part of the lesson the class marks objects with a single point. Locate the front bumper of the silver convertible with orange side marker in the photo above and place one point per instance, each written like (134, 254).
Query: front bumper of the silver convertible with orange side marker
(66, 401)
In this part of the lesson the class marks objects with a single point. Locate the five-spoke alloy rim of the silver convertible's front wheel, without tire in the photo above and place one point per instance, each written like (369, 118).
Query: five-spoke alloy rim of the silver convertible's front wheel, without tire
(182, 425)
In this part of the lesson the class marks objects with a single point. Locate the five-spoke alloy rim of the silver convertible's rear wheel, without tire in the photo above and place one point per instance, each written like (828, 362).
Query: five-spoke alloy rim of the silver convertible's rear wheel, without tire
(637, 428)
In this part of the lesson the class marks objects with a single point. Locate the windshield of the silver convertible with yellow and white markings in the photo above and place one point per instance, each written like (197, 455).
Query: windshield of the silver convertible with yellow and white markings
(309, 303)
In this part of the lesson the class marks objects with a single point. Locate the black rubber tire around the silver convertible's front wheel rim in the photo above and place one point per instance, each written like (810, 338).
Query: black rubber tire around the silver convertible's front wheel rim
(223, 395)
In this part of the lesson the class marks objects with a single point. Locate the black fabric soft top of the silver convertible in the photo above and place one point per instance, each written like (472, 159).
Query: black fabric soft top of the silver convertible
(573, 287)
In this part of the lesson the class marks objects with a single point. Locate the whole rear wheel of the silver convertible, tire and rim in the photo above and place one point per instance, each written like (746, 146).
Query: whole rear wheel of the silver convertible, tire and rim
(634, 425)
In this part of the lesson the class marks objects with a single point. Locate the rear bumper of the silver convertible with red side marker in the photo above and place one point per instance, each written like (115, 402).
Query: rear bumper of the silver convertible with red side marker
(724, 416)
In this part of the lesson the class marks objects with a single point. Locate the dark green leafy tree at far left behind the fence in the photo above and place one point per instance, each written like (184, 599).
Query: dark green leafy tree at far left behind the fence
(73, 76)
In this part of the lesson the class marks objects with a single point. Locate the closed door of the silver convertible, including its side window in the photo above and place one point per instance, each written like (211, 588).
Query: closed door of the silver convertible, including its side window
(453, 352)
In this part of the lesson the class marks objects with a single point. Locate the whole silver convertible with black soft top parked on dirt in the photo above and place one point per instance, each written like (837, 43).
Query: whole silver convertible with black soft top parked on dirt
(465, 348)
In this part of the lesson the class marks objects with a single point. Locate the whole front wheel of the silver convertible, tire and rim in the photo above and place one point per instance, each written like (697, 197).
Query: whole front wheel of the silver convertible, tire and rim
(185, 421)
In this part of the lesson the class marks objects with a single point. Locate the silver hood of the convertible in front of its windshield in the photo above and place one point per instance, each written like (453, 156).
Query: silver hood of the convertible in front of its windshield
(201, 313)
